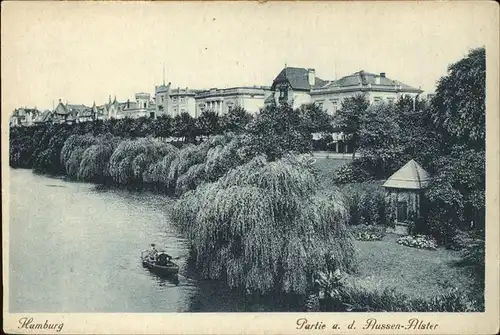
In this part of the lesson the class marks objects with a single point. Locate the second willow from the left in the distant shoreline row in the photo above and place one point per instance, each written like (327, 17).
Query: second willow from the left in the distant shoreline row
(95, 159)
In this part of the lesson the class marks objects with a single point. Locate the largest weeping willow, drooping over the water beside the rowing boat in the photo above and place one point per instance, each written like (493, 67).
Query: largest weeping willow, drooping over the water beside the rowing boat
(263, 228)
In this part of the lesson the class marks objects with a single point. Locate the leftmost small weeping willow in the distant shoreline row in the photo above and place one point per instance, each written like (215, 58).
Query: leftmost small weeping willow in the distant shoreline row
(72, 152)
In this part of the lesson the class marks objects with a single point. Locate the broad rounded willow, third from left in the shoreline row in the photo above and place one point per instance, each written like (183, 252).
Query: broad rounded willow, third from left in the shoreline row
(133, 157)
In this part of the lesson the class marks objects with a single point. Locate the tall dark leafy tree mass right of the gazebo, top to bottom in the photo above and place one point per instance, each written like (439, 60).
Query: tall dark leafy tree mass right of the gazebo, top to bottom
(456, 194)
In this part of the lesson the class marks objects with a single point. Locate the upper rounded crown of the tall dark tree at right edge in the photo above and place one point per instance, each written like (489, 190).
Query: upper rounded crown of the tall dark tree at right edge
(458, 107)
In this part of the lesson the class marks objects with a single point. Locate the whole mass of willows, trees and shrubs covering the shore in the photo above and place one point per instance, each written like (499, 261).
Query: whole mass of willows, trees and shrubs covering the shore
(254, 208)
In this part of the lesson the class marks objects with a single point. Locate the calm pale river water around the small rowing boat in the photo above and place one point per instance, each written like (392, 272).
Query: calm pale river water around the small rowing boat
(74, 248)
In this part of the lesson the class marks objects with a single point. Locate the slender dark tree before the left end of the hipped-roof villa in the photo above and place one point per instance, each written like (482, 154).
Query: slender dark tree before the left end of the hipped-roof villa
(348, 119)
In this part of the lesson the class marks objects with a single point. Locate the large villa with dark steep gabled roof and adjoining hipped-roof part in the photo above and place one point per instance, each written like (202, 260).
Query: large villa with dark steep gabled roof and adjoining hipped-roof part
(298, 86)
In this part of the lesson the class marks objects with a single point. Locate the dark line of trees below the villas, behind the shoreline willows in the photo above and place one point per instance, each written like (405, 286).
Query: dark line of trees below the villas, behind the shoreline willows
(274, 131)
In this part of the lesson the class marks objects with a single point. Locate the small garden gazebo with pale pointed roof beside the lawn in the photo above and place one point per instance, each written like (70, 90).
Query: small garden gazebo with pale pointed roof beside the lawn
(404, 190)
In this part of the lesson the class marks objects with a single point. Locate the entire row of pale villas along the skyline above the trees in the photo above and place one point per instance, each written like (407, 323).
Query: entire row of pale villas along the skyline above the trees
(293, 85)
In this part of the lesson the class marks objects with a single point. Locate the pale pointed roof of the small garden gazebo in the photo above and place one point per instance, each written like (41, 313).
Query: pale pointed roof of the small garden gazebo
(410, 176)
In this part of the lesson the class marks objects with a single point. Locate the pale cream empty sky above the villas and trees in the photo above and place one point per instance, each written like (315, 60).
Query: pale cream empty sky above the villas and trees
(83, 52)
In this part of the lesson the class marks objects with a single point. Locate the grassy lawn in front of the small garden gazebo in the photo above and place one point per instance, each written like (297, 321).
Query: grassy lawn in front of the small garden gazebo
(412, 271)
